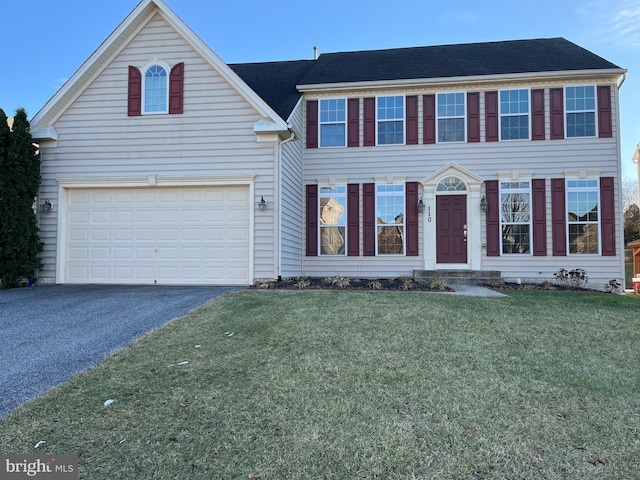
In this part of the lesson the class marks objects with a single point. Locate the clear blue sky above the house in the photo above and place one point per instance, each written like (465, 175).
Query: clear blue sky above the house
(45, 41)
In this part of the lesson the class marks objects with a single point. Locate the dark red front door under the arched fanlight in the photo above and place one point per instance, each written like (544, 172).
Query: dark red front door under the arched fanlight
(451, 228)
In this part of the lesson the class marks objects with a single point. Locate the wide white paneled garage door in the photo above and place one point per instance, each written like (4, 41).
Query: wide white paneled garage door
(170, 236)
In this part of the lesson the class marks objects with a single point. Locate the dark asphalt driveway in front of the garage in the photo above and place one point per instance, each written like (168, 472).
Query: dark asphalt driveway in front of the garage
(47, 334)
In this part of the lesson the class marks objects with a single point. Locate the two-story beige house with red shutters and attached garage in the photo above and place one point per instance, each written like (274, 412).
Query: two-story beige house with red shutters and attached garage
(166, 165)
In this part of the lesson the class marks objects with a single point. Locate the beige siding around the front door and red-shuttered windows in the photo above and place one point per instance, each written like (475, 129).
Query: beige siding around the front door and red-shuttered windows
(543, 159)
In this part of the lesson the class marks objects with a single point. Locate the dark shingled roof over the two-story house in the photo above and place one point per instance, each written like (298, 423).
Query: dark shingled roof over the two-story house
(276, 82)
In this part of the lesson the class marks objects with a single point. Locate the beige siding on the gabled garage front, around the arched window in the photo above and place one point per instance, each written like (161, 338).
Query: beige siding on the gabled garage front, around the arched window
(214, 136)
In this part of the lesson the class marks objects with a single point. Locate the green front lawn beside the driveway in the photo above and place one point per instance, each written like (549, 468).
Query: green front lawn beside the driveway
(359, 385)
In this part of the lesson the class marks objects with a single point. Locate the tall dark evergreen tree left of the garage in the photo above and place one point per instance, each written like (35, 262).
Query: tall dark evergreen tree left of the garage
(18, 226)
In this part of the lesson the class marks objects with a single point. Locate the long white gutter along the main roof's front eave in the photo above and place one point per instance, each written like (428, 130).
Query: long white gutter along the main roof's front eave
(440, 81)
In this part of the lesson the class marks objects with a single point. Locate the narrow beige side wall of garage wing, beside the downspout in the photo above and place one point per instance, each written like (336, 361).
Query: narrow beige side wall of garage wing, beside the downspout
(292, 247)
